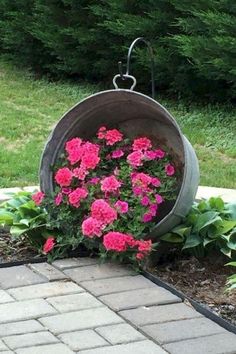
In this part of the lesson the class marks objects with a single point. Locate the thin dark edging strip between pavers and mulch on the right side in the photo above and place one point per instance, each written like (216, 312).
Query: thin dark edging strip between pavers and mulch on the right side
(196, 305)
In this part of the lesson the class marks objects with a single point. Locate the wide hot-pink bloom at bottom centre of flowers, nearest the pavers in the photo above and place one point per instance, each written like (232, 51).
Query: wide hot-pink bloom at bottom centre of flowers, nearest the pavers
(117, 241)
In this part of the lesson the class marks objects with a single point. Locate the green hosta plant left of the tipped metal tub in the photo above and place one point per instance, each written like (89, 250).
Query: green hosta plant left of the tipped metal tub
(24, 218)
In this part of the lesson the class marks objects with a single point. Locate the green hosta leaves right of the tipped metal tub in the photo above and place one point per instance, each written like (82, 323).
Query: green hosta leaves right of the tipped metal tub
(209, 227)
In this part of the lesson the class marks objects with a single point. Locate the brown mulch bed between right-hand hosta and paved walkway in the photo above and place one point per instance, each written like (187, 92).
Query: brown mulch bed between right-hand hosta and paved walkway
(201, 280)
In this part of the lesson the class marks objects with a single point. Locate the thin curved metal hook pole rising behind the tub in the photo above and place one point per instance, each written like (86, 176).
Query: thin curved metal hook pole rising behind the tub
(139, 39)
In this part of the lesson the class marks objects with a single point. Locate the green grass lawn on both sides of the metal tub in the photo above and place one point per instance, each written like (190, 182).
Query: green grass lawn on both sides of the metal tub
(29, 109)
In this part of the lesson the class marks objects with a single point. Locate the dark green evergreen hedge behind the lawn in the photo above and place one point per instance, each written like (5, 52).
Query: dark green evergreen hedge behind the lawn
(194, 41)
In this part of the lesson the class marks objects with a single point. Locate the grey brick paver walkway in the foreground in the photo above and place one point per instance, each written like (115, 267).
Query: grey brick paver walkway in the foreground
(78, 306)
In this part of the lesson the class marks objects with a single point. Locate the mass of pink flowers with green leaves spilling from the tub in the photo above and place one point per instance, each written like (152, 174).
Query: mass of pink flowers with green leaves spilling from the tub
(109, 193)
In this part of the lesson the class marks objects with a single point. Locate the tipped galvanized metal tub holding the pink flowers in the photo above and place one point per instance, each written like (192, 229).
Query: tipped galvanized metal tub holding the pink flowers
(135, 114)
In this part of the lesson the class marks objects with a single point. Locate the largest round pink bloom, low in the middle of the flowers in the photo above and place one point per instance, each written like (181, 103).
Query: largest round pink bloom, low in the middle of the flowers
(103, 212)
